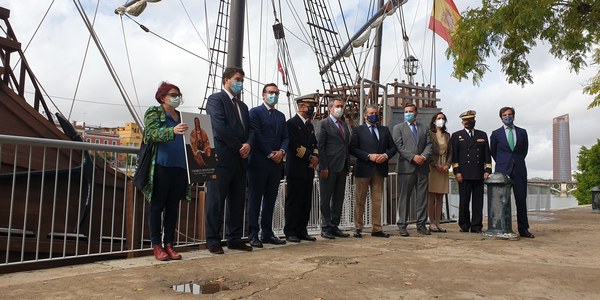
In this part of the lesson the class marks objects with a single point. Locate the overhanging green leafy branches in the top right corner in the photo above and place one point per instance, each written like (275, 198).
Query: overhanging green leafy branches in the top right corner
(510, 29)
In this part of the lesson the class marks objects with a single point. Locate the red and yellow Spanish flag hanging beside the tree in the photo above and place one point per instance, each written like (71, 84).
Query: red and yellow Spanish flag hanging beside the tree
(444, 18)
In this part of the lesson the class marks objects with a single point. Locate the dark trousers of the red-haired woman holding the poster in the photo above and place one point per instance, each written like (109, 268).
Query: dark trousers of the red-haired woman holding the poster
(170, 184)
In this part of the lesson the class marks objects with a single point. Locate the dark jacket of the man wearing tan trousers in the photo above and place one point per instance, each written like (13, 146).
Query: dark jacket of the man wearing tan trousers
(362, 143)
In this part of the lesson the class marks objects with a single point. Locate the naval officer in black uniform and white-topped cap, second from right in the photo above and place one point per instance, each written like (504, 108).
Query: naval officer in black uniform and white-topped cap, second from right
(471, 164)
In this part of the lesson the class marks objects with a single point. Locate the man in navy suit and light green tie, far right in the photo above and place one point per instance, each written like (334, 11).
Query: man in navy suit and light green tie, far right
(509, 145)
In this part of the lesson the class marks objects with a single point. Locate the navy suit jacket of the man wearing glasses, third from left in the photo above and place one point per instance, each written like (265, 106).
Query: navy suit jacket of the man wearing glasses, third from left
(270, 134)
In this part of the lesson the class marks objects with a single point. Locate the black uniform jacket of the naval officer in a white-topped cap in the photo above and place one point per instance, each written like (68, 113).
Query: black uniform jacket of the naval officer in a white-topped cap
(471, 156)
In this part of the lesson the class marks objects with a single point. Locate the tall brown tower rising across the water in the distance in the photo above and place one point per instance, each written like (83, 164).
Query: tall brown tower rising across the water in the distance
(561, 149)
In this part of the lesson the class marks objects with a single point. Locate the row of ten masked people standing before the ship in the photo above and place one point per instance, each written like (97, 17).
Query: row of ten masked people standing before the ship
(251, 145)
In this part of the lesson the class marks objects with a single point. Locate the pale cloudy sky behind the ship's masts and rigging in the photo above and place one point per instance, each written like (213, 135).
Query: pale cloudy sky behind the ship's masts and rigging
(56, 55)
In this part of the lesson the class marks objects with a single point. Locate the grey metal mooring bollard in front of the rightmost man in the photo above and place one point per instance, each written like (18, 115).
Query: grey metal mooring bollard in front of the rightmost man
(499, 212)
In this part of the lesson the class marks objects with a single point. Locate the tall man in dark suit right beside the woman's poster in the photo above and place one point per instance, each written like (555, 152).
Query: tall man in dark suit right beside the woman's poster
(233, 136)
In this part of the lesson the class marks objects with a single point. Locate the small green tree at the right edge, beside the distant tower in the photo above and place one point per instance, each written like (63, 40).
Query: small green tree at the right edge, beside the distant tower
(588, 175)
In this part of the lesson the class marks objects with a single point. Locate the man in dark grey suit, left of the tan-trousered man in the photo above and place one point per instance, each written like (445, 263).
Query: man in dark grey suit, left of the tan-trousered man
(334, 164)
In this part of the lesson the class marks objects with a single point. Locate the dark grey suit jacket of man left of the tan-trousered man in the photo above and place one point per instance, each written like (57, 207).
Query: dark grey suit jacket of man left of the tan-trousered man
(333, 148)
